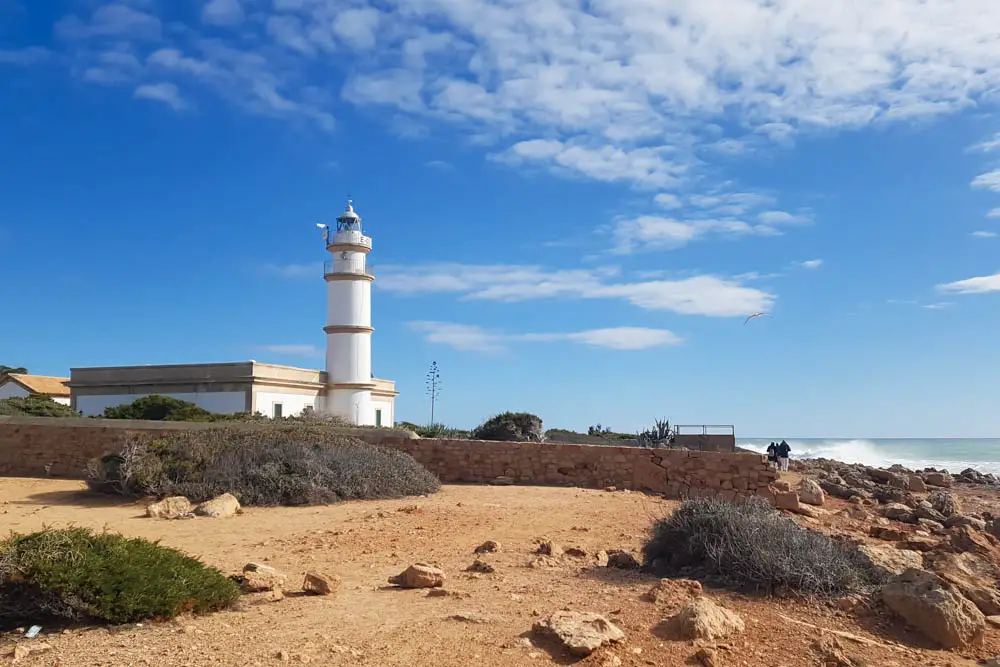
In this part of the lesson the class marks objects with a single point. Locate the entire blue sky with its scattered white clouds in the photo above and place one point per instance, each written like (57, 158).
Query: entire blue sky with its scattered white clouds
(574, 205)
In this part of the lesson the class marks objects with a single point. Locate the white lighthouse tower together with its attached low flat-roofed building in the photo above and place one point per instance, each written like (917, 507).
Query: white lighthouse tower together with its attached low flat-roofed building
(346, 388)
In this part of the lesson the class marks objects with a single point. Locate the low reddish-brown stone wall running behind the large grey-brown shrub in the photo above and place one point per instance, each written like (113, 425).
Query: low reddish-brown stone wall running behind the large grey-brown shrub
(38, 447)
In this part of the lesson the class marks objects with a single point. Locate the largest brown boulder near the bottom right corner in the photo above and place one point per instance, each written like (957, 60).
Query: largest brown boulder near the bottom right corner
(935, 608)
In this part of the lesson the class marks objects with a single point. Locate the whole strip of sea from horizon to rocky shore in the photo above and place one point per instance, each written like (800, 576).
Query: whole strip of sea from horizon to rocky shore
(952, 454)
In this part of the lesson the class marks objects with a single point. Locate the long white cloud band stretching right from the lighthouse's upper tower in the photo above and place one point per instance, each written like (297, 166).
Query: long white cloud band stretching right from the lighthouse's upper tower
(711, 296)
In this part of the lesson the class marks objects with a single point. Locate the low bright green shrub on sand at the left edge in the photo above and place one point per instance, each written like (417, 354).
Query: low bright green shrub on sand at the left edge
(59, 576)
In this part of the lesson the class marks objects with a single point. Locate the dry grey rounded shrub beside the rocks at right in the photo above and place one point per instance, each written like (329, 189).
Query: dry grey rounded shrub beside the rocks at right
(750, 545)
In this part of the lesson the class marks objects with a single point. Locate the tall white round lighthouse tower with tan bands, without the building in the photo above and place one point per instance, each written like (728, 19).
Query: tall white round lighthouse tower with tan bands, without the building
(348, 321)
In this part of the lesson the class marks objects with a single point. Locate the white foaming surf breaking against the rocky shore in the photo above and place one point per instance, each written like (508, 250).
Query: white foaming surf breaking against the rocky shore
(869, 453)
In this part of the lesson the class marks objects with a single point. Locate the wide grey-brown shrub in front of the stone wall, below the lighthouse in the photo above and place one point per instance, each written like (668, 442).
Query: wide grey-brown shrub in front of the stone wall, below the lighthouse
(287, 464)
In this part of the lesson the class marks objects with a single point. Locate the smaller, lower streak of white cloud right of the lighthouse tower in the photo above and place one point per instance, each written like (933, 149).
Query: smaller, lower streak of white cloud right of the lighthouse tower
(477, 339)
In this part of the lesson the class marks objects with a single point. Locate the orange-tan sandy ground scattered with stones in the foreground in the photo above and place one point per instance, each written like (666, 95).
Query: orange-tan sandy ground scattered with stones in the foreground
(367, 623)
